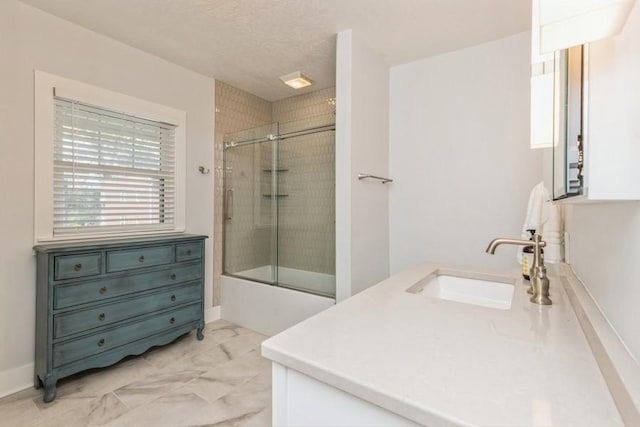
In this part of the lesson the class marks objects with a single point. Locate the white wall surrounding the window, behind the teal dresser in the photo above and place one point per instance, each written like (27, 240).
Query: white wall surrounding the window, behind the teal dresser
(31, 39)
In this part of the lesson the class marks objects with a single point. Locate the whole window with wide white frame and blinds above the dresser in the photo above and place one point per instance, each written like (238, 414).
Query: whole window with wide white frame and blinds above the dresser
(106, 164)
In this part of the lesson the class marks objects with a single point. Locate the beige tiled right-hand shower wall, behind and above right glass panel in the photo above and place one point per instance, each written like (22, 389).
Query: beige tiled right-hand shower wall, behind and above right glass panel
(306, 223)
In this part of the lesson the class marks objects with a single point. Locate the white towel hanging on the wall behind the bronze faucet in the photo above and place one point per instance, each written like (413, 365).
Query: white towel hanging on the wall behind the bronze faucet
(546, 218)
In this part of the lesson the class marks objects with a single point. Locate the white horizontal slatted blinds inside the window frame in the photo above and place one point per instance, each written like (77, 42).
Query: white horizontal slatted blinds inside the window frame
(112, 171)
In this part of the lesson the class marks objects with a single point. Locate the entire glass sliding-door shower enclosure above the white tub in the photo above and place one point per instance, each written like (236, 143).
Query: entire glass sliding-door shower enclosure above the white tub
(279, 205)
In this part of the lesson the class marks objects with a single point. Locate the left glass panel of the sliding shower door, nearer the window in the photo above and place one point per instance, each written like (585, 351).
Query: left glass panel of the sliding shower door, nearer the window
(250, 205)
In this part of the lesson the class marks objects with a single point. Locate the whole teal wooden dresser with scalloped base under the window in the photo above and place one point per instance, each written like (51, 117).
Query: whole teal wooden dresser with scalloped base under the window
(99, 302)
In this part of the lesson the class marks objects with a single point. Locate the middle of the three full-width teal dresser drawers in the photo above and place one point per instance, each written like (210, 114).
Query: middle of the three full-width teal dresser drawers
(71, 323)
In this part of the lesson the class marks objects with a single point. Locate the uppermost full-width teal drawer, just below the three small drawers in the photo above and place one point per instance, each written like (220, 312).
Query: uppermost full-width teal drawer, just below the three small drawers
(68, 295)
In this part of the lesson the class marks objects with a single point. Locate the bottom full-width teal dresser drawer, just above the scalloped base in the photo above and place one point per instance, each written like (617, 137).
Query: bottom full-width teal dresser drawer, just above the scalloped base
(72, 350)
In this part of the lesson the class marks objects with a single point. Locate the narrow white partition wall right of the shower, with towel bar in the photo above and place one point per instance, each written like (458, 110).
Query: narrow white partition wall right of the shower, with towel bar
(362, 129)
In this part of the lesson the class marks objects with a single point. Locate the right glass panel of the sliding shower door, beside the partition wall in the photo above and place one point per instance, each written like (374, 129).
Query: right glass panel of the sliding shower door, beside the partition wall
(306, 210)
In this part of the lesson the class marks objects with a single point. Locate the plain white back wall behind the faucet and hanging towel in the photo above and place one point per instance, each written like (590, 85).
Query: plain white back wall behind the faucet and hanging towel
(459, 154)
